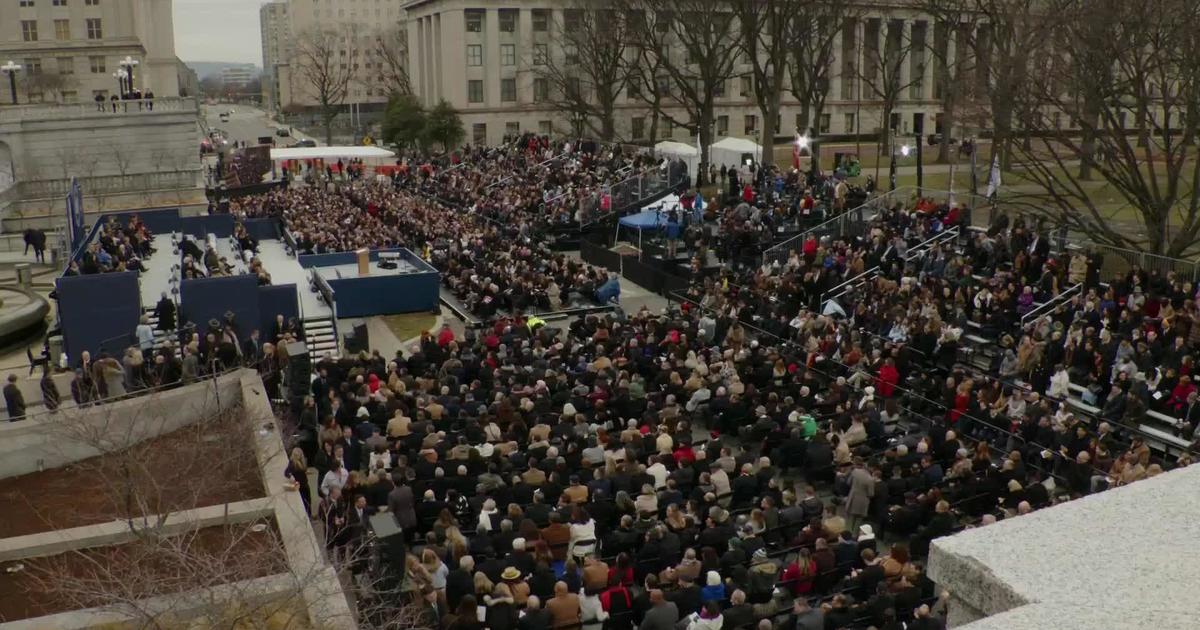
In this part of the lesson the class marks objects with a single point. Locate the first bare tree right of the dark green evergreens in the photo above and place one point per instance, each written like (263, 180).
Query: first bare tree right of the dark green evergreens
(592, 71)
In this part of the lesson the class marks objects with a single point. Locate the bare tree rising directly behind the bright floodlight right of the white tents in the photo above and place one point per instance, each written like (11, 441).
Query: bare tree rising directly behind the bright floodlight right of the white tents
(814, 31)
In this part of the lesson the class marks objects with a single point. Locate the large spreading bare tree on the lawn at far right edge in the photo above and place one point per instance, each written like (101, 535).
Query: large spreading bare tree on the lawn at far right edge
(1130, 77)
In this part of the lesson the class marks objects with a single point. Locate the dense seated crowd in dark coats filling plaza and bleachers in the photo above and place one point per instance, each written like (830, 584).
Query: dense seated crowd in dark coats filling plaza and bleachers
(755, 457)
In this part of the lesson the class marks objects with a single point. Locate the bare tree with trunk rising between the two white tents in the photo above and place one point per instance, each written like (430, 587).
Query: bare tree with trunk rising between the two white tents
(707, 35)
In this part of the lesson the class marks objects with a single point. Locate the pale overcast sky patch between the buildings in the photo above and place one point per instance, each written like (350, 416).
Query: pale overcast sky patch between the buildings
(219, 31)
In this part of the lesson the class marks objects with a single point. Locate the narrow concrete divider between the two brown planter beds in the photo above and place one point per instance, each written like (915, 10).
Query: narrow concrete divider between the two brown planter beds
(118, 532)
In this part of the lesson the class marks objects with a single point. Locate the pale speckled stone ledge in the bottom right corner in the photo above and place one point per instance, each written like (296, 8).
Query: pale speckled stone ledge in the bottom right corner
(1124, 555)
